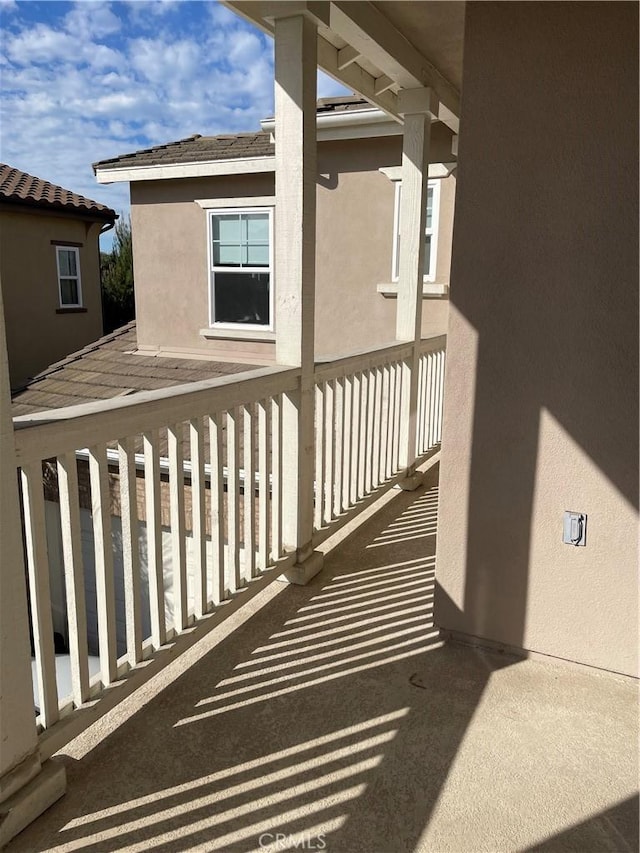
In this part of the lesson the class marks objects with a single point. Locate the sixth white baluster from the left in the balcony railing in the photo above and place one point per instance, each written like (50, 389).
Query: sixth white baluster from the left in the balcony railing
(178, 534)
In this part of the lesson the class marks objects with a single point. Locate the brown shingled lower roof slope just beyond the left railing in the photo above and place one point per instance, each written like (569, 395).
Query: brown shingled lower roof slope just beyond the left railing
(110, 367)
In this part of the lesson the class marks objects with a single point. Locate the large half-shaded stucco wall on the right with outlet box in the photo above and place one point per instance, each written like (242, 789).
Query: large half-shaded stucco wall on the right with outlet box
(541, 411)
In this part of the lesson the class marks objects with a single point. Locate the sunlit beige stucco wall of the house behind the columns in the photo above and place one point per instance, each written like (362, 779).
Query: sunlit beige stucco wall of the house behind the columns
(354, 253)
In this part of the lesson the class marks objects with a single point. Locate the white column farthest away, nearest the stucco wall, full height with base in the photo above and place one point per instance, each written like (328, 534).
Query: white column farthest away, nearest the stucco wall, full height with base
(417, 106)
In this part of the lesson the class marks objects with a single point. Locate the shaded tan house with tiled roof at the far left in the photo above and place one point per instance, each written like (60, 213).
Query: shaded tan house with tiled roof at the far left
(49, 269)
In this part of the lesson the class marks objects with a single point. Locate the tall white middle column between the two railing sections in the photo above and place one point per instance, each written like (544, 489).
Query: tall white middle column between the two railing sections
(295, 251)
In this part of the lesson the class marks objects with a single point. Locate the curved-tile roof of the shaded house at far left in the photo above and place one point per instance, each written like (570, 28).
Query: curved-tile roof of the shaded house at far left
(17, 187)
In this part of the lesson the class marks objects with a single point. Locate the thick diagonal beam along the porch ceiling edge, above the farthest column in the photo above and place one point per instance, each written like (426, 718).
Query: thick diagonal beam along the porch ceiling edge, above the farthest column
(364, 27)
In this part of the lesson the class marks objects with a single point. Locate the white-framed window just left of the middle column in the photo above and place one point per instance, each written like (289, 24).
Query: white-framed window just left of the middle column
(241, 268)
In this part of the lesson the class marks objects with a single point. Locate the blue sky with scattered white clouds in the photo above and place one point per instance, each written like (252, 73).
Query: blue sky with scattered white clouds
(88, 80)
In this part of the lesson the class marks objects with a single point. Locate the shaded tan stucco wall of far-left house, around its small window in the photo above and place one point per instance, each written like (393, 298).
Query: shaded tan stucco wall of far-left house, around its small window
(37, 336)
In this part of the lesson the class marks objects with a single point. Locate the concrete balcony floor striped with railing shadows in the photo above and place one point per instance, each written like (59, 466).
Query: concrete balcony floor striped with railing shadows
(330, 717)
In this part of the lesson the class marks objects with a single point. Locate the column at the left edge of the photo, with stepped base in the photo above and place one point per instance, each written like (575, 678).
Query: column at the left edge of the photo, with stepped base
(26, 787)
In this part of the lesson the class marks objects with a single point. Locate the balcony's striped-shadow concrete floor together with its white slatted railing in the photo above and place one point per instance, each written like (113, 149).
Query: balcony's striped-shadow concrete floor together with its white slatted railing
(231, 711)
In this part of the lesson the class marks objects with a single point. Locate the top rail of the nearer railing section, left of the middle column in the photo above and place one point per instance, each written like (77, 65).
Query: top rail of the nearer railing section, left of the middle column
(42, 435)
